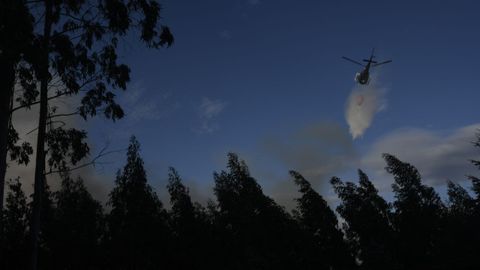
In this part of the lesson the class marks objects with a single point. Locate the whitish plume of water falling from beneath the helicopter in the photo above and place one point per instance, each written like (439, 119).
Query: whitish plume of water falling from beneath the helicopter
(363, 103)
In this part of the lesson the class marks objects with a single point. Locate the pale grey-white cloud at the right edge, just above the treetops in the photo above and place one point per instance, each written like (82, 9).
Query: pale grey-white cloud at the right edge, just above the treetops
(438, 157)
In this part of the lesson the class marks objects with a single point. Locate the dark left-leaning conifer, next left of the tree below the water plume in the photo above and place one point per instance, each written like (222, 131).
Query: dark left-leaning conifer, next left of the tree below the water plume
(321, 223)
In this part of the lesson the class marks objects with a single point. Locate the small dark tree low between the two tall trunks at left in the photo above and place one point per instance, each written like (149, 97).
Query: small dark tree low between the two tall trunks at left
(15, 229)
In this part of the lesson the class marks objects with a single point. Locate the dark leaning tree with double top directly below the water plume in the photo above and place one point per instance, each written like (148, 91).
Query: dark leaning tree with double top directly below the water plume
(367, 222)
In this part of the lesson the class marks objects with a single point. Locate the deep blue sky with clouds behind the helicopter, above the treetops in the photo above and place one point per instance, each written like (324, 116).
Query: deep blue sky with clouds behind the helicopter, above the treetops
(254, 77)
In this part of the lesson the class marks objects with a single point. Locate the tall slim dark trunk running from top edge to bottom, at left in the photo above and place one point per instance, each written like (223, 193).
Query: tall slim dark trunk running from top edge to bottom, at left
(39, 184)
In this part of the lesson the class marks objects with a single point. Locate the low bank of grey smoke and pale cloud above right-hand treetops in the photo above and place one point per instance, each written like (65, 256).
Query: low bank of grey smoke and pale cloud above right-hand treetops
(324, 150)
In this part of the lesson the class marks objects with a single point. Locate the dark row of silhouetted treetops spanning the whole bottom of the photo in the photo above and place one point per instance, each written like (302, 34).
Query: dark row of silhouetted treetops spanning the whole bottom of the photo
(244, 228)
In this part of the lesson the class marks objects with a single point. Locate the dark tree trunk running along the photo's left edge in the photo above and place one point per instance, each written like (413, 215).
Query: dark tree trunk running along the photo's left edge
(7, 79)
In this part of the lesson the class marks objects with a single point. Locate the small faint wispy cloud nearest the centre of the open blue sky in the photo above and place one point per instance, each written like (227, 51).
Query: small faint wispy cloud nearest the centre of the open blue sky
(209, 110)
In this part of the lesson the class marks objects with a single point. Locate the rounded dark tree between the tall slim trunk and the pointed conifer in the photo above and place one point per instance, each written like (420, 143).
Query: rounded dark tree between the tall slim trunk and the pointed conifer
(77, 227)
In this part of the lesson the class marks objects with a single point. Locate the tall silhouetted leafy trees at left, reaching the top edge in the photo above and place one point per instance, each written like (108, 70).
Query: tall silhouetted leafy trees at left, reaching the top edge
(51, 49)
